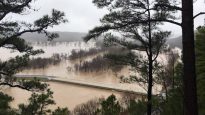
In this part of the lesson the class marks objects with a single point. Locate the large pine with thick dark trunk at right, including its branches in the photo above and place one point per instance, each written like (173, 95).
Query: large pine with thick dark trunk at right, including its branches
(164, 8)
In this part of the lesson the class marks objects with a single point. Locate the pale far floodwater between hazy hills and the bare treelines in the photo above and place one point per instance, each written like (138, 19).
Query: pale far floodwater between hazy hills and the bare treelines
(50, 49)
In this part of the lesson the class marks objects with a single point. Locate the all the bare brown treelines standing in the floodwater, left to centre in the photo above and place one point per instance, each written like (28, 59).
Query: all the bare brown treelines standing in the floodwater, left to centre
(97, 64)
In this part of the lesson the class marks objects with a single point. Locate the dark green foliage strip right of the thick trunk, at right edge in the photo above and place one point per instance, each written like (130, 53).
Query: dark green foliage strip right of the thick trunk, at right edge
(200, 68)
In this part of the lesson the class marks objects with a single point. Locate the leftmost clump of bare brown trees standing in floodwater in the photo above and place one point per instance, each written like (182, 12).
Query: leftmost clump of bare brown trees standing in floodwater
(41, 63)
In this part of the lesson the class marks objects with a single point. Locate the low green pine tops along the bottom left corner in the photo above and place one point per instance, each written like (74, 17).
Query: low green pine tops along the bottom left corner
(38, 104)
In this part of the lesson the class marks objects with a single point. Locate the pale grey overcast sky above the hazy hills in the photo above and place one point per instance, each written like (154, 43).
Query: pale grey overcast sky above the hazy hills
(83, 15)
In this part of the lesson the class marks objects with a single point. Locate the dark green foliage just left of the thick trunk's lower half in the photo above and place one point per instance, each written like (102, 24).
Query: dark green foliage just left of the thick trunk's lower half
(173, 103)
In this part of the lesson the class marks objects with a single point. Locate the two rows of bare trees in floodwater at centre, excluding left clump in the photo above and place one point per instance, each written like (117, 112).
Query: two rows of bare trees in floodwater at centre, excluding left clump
(99, 63)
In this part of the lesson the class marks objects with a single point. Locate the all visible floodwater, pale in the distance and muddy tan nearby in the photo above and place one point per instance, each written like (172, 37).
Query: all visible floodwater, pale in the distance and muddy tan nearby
(67, 95)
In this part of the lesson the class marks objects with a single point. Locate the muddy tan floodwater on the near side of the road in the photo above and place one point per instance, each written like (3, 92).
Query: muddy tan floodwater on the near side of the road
(65, 95)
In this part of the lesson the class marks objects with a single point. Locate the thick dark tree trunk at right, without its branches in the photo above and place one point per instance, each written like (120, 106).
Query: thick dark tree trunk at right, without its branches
(189, 78)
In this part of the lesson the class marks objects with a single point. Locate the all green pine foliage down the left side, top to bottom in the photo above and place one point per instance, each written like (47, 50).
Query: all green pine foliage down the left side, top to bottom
(10, 38)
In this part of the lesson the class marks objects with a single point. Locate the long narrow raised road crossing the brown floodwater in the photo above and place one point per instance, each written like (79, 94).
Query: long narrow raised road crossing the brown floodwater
(84, 83)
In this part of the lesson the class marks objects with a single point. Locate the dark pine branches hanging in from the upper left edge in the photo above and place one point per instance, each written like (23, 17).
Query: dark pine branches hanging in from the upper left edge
(10, 38)
